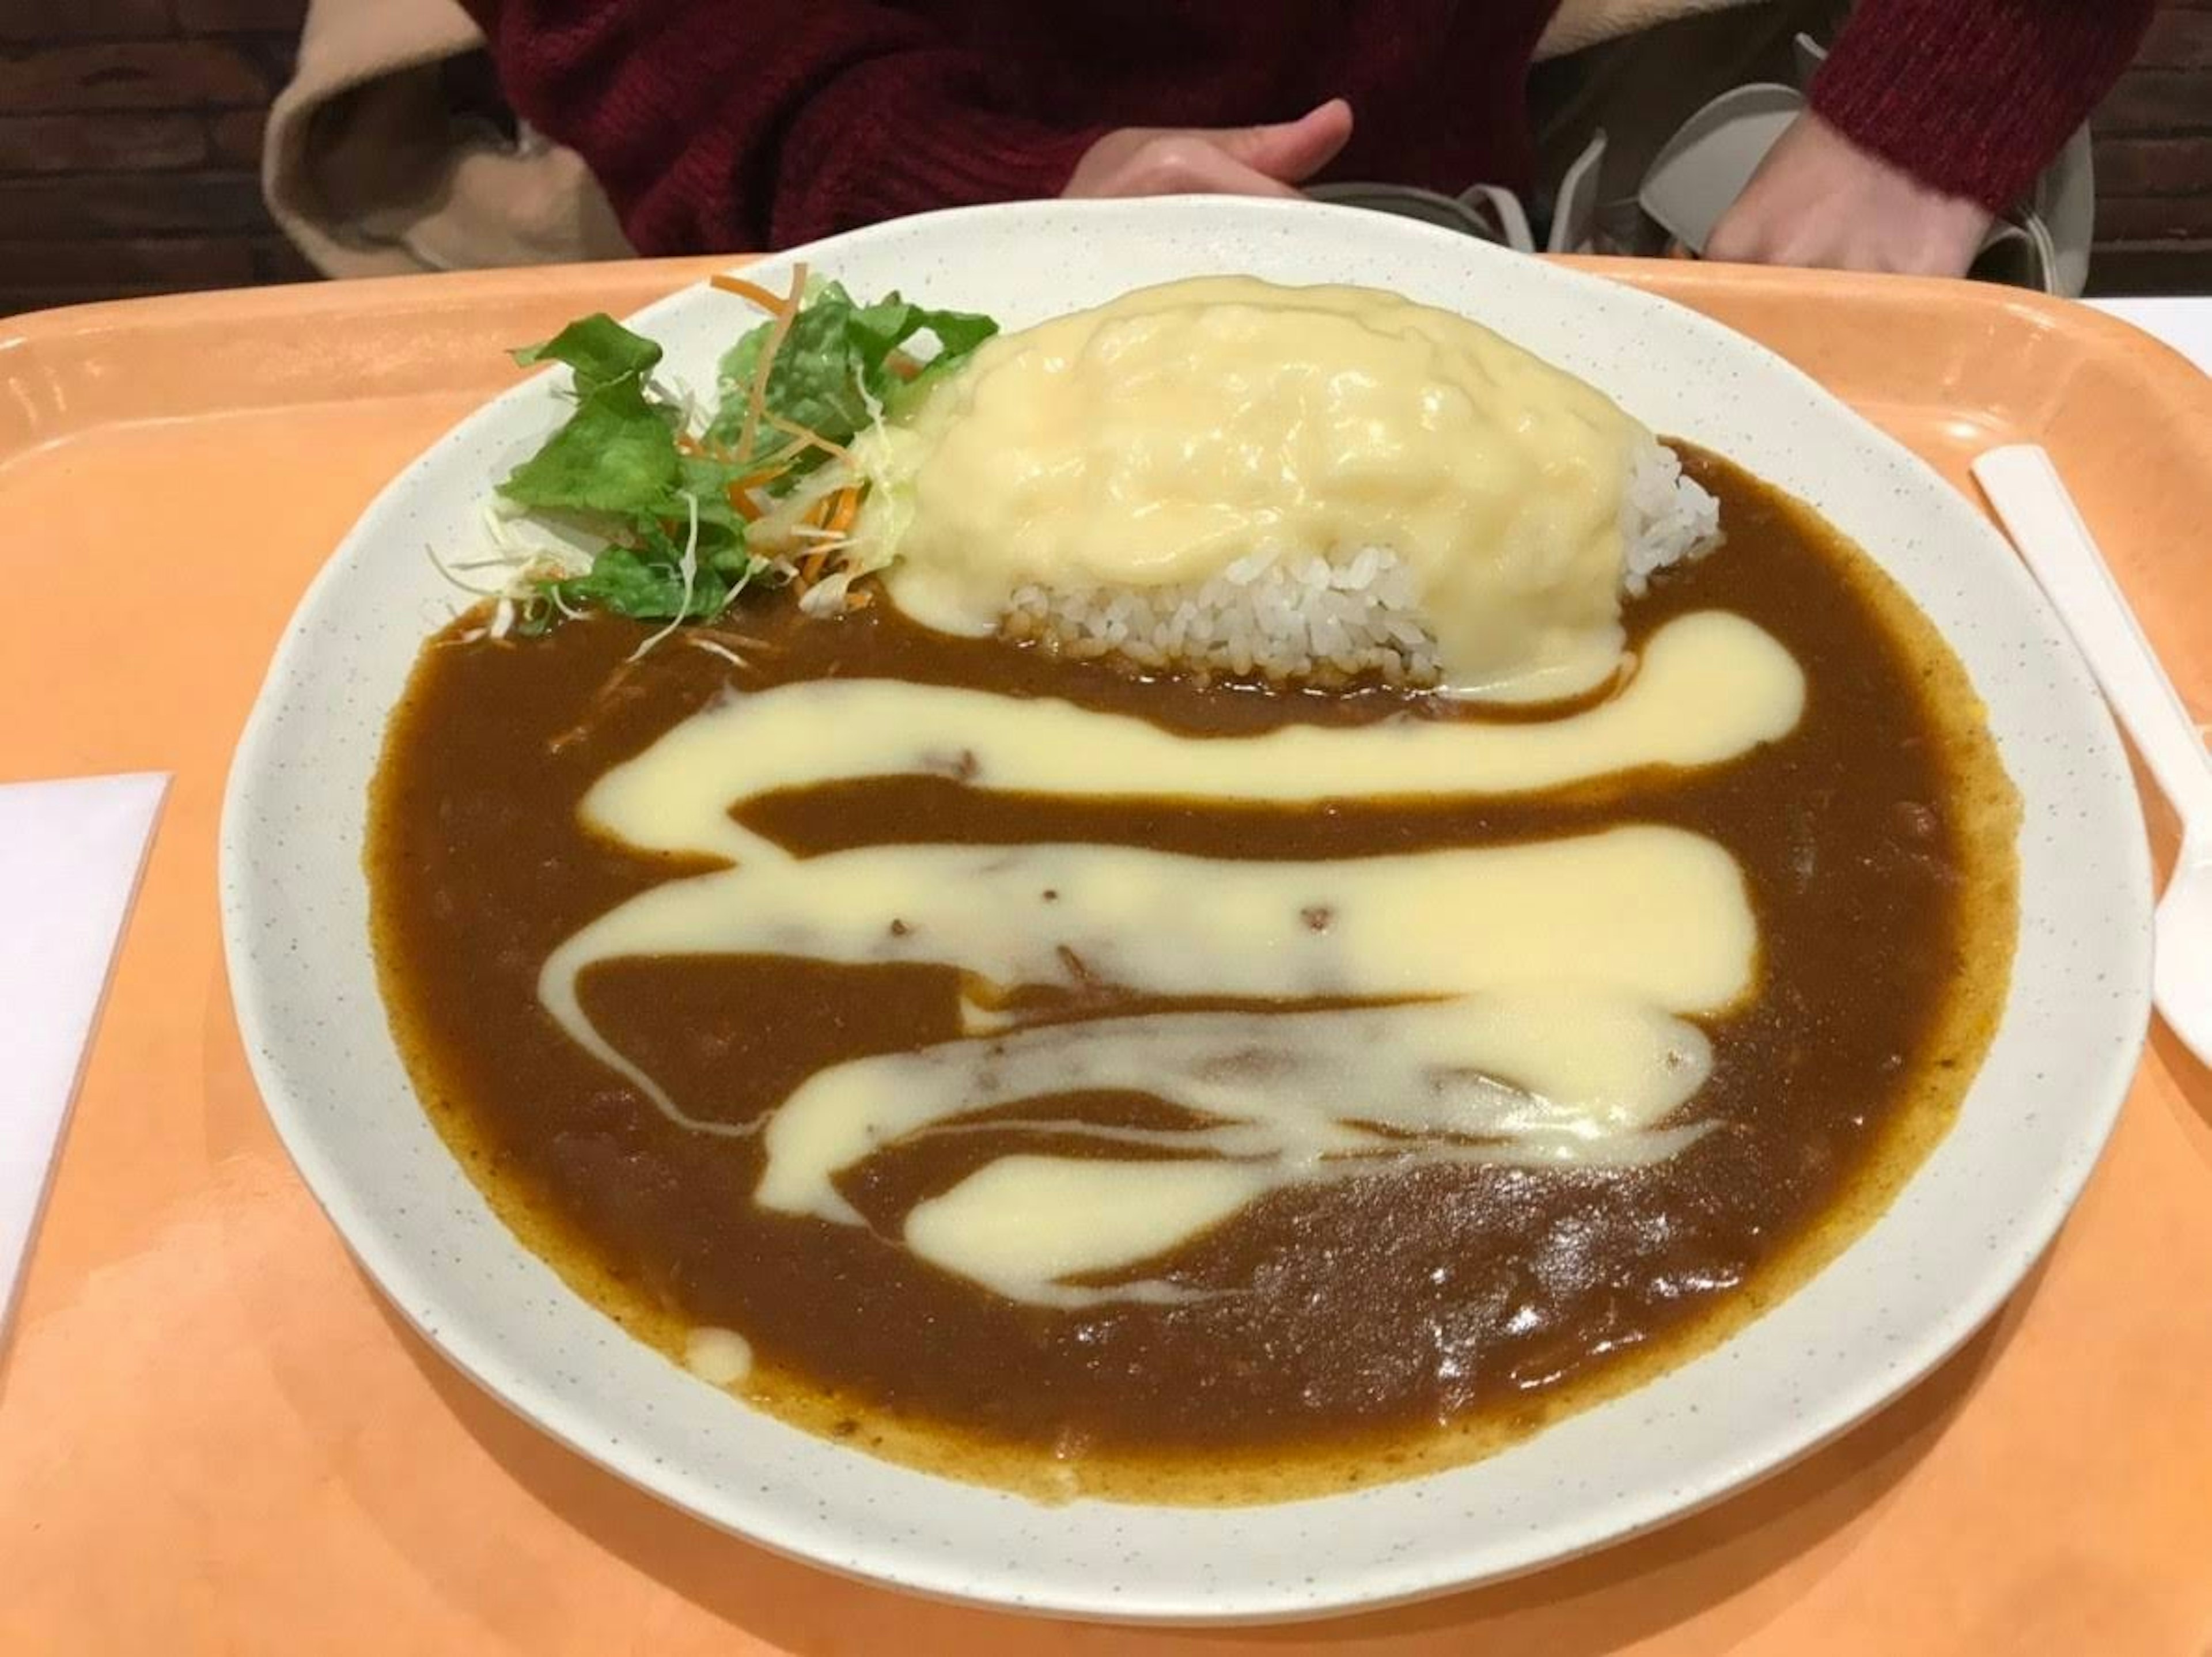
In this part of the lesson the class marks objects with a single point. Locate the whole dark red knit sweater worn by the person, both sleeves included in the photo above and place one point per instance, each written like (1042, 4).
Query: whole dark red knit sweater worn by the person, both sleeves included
(727, 125)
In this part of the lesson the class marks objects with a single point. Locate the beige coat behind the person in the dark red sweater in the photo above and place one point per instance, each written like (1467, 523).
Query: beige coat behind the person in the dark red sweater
(373, 174)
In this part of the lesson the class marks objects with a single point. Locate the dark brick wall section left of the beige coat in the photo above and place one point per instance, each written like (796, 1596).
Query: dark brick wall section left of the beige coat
(132, 147)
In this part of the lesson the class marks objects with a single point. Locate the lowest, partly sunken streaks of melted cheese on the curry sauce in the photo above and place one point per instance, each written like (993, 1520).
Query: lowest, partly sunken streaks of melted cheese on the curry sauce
(1280, 1101)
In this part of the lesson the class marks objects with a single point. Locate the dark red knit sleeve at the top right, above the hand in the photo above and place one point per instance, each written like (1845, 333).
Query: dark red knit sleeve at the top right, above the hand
(1976, 96)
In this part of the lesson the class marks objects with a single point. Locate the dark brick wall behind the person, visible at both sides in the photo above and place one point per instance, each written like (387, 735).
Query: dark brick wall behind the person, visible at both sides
(132, 136)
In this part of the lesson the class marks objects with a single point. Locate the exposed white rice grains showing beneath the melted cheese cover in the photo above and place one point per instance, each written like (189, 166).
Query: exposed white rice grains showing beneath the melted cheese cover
(1326, 621)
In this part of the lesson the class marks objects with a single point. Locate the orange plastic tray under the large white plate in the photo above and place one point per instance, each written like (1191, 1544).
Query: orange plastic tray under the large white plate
(213, 1435)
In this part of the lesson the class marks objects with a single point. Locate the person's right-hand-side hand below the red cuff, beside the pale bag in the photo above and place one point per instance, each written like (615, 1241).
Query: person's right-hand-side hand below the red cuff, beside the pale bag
(1819, 200)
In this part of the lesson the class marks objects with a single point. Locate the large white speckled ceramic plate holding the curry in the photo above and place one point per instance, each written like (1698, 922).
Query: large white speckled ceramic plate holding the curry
(1895, 1304)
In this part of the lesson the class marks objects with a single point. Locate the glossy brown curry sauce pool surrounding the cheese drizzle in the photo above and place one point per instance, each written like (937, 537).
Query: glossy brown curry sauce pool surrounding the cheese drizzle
(1324, 1331)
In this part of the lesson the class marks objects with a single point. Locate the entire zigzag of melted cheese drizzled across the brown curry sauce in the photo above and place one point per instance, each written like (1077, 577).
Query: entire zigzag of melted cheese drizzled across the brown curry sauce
(1525, 1003)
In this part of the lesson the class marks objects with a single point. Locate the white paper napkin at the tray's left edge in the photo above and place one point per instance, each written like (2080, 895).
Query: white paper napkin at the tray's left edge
(70, 866)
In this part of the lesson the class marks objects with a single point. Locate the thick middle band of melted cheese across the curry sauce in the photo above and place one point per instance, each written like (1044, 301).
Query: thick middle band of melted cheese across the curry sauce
(1649, 913)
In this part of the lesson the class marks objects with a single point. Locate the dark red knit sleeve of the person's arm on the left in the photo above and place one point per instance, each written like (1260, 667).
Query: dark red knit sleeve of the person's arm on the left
(771, 123)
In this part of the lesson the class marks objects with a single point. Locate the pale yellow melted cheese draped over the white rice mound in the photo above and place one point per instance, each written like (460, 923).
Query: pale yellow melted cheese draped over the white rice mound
(1162, 437)
